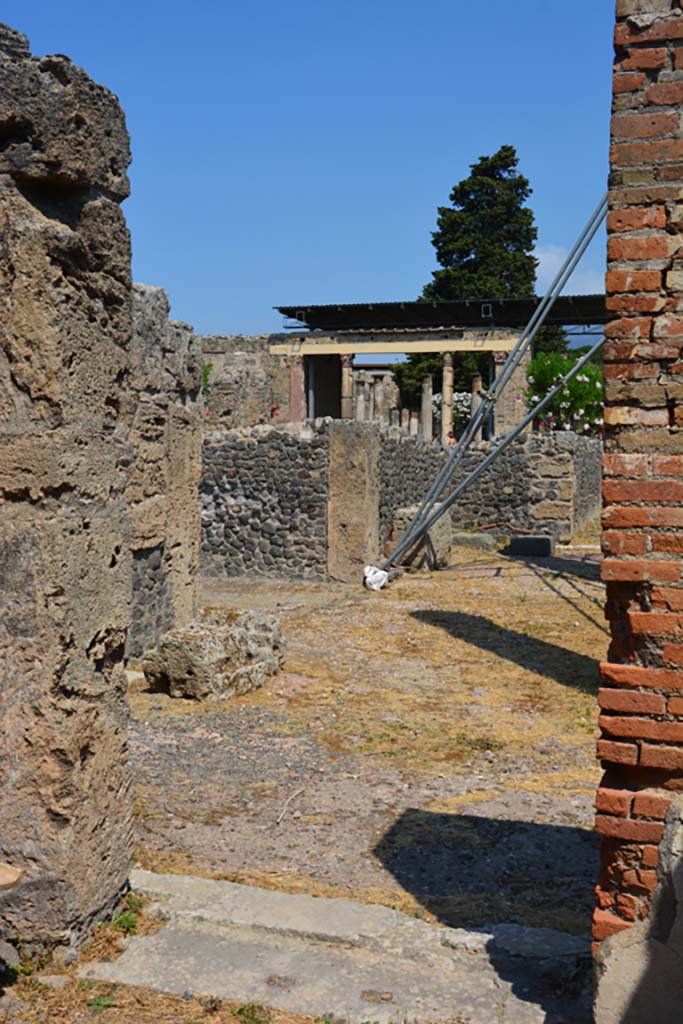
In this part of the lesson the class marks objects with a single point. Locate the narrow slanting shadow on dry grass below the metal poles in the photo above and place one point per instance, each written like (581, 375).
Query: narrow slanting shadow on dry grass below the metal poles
(569, 668)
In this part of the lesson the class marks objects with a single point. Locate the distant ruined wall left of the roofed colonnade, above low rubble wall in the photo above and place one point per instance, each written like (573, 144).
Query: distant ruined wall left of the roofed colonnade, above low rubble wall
(246, 382)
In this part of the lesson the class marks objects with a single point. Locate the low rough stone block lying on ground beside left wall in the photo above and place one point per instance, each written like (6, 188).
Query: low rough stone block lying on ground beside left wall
(222, 656)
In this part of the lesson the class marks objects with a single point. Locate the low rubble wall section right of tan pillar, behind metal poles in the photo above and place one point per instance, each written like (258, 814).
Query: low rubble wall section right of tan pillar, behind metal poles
(544, 483)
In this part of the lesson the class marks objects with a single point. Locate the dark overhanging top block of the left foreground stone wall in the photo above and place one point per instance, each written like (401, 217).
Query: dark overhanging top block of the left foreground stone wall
(57, 124)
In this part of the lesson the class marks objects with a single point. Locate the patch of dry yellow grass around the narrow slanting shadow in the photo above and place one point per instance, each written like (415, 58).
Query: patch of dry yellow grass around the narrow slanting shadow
(442, 667)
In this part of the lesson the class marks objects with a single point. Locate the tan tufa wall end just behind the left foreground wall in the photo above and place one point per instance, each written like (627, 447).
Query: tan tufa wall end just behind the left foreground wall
(166, 433)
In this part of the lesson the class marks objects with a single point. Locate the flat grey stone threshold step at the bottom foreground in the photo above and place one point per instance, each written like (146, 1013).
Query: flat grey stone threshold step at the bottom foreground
(337, 958)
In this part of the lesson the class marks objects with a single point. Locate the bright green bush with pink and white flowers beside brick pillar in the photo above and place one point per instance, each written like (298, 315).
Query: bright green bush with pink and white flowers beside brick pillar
(579, 406)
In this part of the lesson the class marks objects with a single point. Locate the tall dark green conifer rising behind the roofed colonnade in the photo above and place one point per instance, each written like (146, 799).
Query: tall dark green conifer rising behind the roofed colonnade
(485, 244)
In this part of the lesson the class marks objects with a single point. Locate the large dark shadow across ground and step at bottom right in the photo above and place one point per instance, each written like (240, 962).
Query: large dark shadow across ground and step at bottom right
(479, 873)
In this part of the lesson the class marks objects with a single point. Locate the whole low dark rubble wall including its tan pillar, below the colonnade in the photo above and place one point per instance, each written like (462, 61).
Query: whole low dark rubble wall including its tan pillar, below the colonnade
(306, 502)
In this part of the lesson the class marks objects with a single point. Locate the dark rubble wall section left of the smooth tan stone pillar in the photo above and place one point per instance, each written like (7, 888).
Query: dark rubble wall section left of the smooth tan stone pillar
(265, 502)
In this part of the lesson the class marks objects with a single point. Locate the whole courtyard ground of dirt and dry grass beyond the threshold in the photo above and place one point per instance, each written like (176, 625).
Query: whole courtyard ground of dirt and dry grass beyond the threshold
(430, 748)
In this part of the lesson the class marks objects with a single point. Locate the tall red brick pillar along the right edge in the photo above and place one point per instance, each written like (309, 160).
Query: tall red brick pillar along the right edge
(642, 696)
